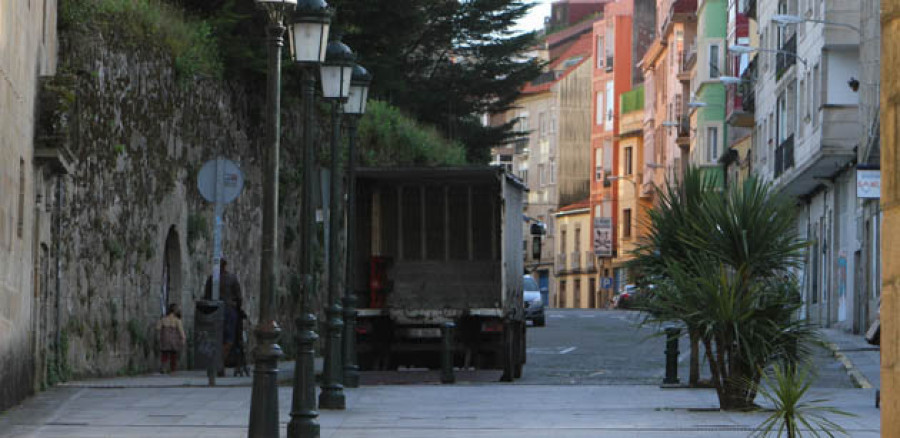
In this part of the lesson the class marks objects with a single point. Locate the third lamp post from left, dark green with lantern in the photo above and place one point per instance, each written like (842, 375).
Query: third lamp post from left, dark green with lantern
(336, 74)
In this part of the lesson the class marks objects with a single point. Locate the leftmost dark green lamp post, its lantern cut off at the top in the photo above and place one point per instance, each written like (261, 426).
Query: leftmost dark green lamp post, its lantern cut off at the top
(264, 401)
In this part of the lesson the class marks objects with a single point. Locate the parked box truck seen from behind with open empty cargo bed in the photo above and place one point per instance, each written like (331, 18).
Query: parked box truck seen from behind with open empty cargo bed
(437, 245)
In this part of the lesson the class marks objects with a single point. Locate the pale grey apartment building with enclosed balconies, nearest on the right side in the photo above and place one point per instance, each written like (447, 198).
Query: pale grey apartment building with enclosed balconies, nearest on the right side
(809, 130)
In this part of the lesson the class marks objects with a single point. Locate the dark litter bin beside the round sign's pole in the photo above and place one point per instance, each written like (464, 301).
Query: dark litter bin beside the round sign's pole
(209, 321)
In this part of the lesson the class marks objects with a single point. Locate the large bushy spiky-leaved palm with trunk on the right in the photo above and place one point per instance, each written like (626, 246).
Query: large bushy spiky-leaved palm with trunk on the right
(724, 267)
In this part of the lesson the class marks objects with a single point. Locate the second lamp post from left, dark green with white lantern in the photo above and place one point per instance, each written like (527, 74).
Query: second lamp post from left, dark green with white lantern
(309, 36)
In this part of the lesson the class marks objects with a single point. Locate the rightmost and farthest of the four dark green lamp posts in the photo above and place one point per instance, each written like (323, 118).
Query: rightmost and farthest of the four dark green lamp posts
(355, 108)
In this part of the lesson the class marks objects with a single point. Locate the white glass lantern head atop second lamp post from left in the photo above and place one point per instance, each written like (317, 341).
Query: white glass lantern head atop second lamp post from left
(309, 31)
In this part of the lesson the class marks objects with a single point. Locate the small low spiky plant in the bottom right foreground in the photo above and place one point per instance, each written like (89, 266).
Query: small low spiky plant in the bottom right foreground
(786, 387)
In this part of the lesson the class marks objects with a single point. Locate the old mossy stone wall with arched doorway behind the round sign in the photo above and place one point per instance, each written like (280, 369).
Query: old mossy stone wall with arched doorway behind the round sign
(135, 232)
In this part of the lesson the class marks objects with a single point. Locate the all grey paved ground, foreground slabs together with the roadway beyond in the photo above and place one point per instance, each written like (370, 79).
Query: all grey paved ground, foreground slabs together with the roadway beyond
(623, 400)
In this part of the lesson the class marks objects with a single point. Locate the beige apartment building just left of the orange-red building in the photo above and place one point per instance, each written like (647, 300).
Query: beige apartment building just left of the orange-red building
(554, 111)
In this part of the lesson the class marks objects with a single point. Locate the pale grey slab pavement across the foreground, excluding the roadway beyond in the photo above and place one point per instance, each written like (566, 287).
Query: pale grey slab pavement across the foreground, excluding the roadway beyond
(400, 411)
